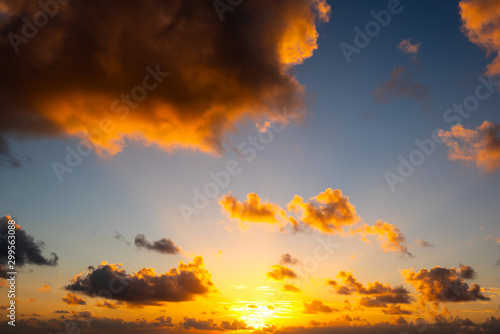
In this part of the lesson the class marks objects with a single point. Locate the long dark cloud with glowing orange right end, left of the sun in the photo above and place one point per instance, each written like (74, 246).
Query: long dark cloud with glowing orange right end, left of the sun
(145, 287)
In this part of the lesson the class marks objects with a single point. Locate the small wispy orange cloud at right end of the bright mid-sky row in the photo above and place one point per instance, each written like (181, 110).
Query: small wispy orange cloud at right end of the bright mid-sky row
(390, 237)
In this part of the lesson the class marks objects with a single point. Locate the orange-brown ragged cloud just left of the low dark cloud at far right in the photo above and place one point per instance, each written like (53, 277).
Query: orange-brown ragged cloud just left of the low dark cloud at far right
(380, 295)
